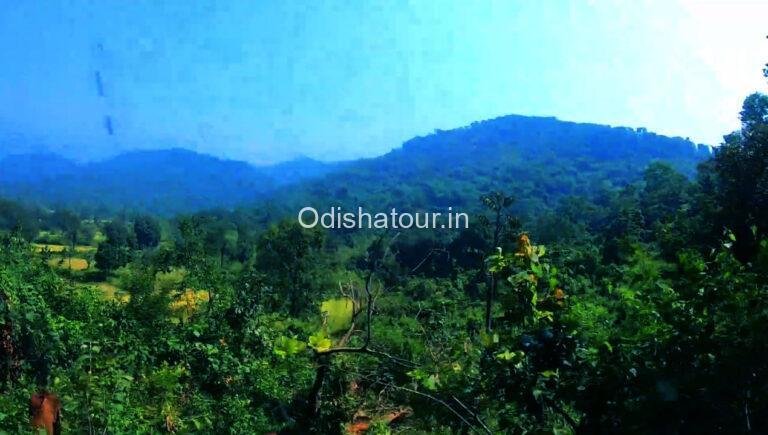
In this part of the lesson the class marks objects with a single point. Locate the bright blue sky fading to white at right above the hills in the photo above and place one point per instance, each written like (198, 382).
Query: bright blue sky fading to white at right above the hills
(267, 81)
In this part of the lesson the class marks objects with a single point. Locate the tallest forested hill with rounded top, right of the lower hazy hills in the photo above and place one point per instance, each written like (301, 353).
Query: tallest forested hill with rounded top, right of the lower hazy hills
(537, 160)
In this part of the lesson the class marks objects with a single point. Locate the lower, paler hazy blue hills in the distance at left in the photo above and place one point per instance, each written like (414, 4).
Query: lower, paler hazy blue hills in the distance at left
(164, 182)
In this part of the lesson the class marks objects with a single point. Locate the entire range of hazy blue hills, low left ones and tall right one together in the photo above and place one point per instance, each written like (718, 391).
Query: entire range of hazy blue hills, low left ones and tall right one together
(538, 159)
